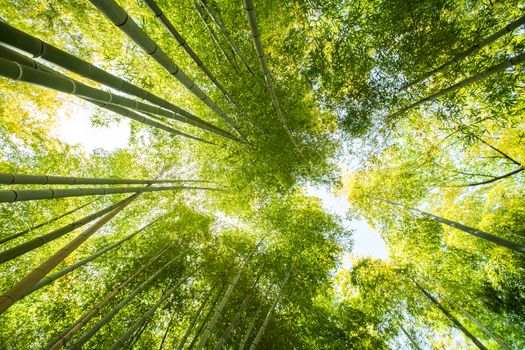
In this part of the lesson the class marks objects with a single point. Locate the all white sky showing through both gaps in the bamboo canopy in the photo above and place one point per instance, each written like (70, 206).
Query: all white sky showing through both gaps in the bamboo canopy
(74, 127)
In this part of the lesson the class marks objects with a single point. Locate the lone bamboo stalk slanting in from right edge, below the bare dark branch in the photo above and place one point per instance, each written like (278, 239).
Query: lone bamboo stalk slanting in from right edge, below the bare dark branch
(470, 230)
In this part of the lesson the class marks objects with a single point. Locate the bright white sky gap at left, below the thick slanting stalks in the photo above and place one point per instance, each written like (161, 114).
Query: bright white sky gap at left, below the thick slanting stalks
(74, 127)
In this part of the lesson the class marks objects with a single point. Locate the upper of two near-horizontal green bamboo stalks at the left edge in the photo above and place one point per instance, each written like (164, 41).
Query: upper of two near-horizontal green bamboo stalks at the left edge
(23, 179)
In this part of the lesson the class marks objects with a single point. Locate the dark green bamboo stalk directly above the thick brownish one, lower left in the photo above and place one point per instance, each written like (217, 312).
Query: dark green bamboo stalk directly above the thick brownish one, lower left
(23, 248)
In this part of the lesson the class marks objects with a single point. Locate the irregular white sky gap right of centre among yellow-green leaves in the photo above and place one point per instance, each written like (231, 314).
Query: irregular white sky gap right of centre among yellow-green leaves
(367, 241)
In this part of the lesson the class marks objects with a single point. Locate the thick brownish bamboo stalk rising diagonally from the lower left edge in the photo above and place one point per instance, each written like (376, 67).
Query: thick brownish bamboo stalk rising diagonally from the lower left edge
(21, 288)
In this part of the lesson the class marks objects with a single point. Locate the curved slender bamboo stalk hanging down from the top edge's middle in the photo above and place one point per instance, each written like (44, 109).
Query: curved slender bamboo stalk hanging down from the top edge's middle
(249, 5)
